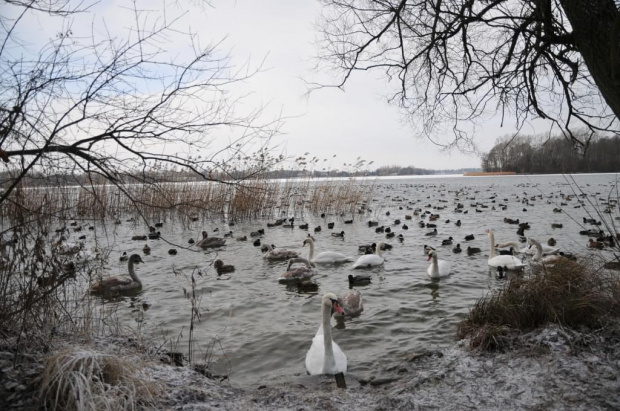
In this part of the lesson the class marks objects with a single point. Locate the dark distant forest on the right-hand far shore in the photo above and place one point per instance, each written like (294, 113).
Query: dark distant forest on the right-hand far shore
(534, 155)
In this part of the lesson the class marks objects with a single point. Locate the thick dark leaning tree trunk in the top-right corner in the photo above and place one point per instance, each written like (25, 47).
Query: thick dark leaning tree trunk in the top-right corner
(595, 28)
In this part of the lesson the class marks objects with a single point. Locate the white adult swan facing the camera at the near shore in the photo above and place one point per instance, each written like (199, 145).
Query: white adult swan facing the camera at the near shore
(324, 356)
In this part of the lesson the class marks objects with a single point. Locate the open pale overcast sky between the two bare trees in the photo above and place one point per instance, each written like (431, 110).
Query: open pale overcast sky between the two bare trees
(356, 122)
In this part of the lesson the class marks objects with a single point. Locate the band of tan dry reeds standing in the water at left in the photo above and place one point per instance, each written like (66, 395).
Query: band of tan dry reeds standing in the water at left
(184, 202)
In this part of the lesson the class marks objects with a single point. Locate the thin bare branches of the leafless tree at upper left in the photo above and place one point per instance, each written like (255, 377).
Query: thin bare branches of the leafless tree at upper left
(121, 109)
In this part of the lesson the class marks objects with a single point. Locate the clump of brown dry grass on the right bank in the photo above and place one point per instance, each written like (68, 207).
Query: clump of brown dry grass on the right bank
(572, 294)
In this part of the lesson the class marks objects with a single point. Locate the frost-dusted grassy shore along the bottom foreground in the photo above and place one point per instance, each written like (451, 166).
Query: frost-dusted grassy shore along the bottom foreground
(548, 368)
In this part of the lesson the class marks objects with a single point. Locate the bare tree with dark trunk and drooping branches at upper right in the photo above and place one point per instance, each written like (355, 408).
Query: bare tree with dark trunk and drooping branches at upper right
(456, 61)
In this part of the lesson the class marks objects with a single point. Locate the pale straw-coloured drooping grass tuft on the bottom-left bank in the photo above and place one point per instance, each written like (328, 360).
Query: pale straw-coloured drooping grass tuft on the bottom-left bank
(87, 380)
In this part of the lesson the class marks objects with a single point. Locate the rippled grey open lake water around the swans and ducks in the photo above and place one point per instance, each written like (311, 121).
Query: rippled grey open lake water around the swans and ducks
(264, 328)
